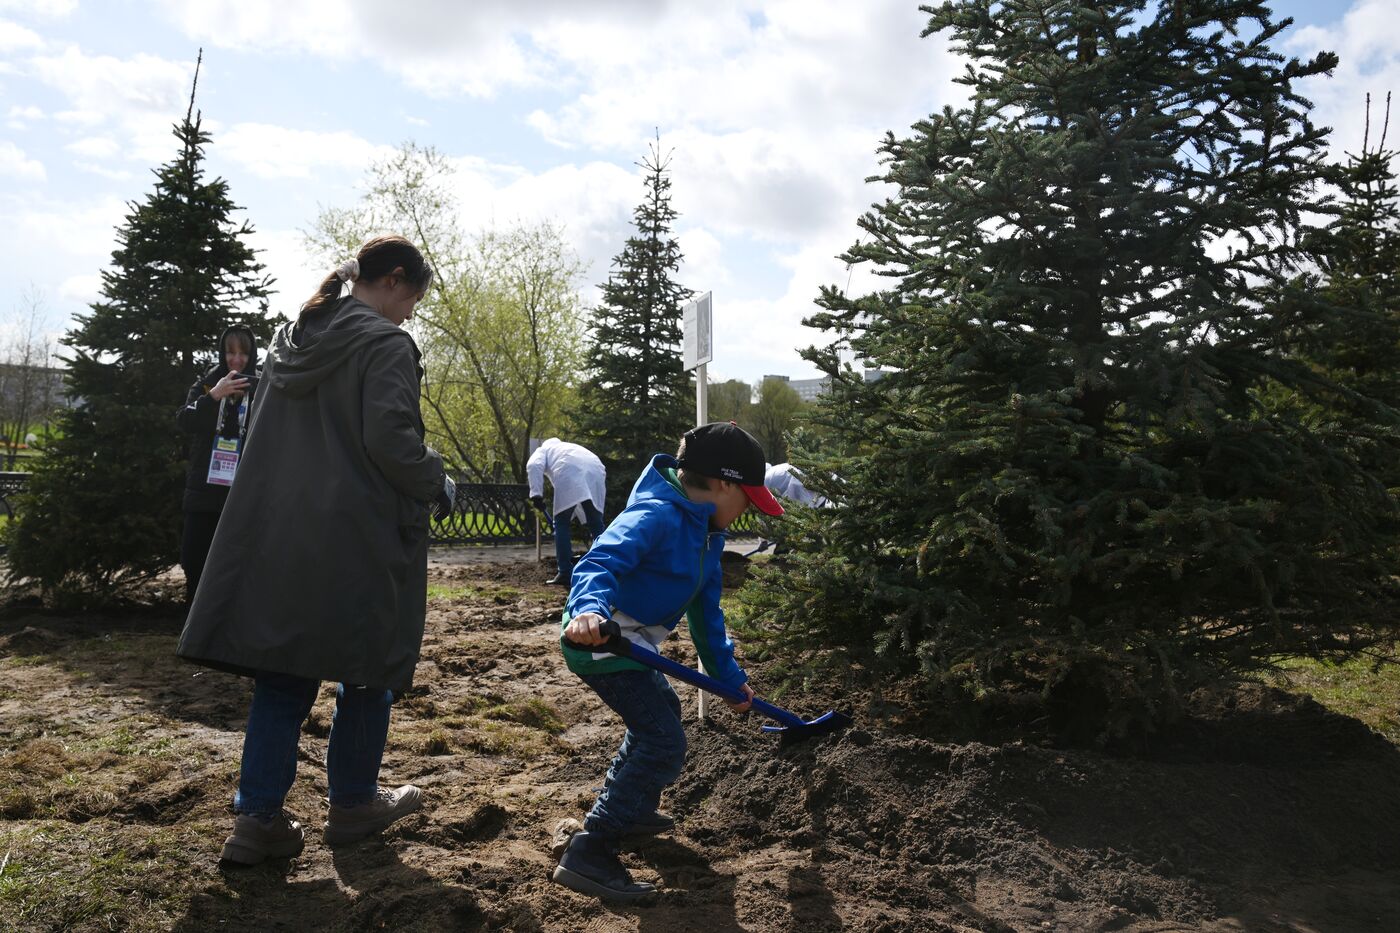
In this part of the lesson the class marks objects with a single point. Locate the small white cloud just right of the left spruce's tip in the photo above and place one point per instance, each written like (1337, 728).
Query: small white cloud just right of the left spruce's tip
(279, 152)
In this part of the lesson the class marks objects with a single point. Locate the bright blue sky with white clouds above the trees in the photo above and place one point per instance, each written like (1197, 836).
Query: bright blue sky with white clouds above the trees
(773, 110)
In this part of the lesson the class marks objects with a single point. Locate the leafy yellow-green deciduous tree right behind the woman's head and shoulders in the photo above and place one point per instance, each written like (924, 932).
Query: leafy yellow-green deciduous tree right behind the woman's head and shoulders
(500, 329)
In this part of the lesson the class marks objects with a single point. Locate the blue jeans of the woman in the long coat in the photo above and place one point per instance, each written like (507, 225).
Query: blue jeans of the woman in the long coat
(355, 752)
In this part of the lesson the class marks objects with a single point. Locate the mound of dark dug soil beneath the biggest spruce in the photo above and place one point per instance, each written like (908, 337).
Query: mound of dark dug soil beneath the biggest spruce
(1021, 837)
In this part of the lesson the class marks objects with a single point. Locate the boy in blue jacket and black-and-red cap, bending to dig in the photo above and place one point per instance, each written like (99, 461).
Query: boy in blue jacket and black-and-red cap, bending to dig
(657, 562)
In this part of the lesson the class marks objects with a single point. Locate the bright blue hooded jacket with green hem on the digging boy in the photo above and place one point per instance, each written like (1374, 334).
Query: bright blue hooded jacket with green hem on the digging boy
(657, 562)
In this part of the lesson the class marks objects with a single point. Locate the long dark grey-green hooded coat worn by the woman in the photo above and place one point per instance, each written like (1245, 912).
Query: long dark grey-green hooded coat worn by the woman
(320, 562)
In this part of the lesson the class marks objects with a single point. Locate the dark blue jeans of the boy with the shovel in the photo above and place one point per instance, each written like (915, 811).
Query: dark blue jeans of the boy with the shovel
(652, 754)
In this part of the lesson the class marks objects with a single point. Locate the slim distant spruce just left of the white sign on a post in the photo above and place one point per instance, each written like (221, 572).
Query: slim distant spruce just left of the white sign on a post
(638, 400)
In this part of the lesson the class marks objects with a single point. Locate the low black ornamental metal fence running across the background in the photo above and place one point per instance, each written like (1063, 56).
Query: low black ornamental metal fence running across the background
(484, 515)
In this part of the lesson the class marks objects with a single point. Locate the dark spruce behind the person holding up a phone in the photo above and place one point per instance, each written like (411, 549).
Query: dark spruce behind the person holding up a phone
(104, 502)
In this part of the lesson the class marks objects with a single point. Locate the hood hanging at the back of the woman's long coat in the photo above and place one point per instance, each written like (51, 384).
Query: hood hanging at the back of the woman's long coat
(306, 352)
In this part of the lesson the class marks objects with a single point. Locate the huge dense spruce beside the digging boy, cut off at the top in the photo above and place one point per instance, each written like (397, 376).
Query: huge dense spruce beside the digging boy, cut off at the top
(1067, 487)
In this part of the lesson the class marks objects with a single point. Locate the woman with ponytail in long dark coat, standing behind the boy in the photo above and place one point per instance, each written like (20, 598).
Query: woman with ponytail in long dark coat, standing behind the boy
(318, 571)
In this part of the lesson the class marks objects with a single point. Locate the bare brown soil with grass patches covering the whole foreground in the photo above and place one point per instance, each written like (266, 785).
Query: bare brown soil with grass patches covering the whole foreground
(1259, 812)
